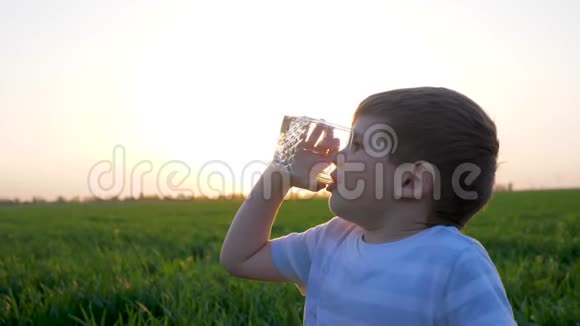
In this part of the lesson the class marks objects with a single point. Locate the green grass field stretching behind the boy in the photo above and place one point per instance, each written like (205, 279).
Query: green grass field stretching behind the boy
(157, 262)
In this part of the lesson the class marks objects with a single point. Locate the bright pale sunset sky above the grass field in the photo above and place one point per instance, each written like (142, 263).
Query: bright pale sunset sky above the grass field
(190, 89)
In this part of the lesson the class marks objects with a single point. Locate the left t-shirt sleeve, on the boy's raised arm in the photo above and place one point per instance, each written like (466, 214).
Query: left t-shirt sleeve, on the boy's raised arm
(293, 254)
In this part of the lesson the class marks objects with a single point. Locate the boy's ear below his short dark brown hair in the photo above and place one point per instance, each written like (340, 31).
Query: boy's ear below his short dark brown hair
(418, 182)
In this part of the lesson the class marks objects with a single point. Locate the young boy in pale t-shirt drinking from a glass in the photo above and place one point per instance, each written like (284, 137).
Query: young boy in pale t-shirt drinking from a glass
(420, 163)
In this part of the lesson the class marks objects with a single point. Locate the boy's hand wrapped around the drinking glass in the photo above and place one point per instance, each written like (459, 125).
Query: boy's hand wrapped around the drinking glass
(311, 157)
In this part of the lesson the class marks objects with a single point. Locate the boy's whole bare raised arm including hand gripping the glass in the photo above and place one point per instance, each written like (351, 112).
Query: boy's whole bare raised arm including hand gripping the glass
(247, 250)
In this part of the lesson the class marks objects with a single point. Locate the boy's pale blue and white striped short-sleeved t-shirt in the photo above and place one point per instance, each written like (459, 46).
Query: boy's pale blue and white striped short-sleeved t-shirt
(438, 276)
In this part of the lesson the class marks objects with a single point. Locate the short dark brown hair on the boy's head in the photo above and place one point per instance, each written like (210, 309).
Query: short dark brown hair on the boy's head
(446, 129)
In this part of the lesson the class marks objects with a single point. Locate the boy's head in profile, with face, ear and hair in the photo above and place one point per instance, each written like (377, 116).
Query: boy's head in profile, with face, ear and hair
(426, 150)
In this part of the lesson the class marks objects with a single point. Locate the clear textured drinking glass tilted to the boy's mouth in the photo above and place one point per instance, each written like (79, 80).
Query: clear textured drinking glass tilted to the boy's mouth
(293, 132)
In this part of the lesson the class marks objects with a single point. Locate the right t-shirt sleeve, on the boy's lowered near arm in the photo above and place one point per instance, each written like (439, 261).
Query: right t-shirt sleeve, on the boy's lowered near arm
(475, 294)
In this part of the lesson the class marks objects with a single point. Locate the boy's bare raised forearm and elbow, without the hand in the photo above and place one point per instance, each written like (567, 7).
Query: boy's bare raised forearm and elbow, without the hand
(246, 251)
